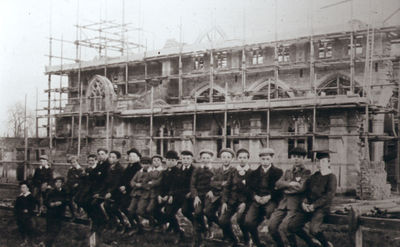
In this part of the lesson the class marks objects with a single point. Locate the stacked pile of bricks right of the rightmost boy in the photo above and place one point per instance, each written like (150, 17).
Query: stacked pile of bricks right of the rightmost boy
(373, 181)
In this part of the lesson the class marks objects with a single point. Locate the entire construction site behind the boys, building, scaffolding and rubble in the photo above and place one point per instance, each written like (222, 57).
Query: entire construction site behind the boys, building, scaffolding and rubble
(336, 89)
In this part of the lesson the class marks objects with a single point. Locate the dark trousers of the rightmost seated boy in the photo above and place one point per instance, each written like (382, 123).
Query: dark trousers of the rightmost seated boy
(297, 222)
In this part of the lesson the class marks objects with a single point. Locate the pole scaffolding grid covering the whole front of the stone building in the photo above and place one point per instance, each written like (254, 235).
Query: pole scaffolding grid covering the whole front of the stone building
(108, 37)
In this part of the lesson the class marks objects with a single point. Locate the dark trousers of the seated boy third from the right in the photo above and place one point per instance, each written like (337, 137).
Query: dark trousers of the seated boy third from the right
(255, 216)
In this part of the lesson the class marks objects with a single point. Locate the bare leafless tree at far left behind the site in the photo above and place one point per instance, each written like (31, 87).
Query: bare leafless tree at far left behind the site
(16, 119)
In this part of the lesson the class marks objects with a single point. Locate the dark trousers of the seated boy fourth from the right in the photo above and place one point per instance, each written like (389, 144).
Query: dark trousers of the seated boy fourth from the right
(226, 224)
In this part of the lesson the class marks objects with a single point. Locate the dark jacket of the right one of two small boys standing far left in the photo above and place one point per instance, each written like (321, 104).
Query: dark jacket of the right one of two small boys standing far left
(55, 195)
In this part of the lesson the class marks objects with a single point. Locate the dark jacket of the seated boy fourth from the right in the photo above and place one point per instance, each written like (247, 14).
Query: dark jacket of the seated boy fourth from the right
(236, 189)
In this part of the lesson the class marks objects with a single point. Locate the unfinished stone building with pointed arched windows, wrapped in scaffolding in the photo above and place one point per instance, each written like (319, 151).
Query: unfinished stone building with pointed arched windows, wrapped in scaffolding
(336, 91)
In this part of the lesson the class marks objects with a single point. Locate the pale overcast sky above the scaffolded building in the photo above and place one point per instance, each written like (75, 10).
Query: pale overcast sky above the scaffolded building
(25, 27)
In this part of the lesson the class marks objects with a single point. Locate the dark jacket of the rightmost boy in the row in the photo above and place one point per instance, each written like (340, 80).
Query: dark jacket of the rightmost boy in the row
(320, 190)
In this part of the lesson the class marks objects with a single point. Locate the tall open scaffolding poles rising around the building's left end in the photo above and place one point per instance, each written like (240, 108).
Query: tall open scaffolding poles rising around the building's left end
(107, 38)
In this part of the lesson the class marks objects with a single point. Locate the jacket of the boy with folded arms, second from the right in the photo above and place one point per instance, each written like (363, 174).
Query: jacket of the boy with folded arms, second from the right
(292, 197)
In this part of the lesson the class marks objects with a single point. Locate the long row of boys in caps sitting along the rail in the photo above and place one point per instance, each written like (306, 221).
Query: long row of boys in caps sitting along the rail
(206, 194)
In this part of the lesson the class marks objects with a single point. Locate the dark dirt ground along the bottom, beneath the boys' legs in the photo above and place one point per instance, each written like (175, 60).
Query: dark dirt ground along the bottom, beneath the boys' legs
(74, 235)
